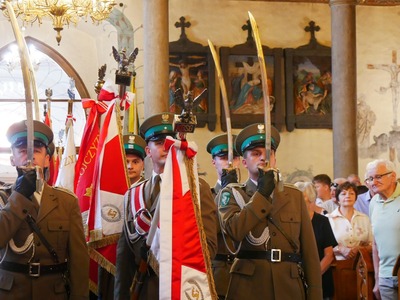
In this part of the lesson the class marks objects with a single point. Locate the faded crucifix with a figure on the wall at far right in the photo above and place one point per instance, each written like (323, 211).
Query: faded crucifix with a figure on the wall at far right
(394, 70)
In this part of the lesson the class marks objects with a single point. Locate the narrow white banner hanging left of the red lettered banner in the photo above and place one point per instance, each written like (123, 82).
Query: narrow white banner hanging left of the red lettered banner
(66, 172)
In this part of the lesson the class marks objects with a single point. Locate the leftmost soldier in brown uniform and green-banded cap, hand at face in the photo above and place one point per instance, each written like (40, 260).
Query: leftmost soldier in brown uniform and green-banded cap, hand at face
(51, 261)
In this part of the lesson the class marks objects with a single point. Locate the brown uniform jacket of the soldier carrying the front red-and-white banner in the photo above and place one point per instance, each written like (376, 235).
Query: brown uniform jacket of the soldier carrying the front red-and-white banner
(128, 252)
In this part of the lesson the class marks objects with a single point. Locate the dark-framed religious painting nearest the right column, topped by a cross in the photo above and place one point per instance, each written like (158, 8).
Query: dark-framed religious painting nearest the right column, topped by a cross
(308, 85)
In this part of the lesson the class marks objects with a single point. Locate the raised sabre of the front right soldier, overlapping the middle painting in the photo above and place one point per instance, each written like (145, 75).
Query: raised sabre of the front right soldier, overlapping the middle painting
(264, 80)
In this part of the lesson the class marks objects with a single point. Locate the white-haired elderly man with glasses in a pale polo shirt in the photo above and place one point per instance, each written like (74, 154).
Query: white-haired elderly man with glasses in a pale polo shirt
(384, 212)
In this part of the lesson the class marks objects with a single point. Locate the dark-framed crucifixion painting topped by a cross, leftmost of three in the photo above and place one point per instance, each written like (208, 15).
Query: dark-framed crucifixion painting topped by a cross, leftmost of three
(191, 69)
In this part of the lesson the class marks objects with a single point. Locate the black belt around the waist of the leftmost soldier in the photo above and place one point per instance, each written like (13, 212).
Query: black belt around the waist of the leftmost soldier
(33, 269)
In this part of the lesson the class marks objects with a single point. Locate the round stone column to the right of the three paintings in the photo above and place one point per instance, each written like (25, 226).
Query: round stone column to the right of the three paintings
(344, 87)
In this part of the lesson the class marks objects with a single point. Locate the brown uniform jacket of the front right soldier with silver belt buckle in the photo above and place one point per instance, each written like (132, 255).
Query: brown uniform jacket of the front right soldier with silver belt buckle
(260, 278)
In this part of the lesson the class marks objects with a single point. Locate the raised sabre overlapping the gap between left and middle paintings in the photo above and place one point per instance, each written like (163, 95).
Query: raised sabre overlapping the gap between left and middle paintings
(225, 103)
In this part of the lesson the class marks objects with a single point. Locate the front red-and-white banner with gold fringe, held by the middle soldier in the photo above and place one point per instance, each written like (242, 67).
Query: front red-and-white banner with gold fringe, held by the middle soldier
(180, 247)
